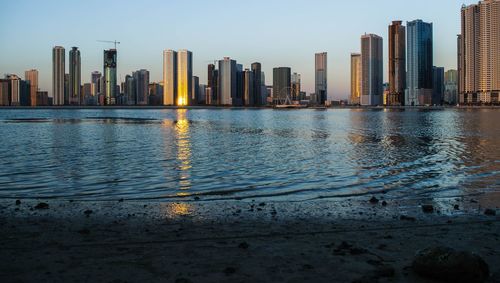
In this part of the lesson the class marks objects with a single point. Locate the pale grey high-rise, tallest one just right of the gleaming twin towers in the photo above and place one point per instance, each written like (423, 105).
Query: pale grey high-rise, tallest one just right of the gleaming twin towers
(227, 81)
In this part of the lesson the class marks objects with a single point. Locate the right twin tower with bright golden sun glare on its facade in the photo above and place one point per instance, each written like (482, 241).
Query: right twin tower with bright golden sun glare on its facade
(184, 77)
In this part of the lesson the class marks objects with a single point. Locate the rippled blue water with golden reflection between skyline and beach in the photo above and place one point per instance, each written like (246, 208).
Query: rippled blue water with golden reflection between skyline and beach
(233, 154)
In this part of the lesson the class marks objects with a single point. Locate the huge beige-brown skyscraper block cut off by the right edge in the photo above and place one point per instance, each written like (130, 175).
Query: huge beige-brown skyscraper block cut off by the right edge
(479, 58)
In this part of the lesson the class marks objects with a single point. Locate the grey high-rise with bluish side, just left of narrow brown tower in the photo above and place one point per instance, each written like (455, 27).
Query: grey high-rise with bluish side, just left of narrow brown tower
(371, 69)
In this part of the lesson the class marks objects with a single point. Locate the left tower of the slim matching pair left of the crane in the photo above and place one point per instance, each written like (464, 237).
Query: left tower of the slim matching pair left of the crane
(58, 72)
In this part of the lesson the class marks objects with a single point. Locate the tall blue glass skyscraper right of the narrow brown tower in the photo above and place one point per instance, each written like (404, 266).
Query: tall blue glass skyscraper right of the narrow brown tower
(419, 63)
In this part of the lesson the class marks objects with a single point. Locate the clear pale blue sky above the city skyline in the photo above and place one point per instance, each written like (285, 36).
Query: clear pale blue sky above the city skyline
(273, 32)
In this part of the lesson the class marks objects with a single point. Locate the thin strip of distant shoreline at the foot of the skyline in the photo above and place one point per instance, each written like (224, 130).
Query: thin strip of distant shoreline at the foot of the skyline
(147, 107)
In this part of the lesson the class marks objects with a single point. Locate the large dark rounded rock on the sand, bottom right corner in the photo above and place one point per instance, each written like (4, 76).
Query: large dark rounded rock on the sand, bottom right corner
(448, 265)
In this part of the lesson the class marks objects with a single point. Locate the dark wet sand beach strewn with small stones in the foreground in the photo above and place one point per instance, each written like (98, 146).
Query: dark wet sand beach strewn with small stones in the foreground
(235, 241)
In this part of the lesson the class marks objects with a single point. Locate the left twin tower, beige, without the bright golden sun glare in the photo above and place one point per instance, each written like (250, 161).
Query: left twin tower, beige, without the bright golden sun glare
(169, 77)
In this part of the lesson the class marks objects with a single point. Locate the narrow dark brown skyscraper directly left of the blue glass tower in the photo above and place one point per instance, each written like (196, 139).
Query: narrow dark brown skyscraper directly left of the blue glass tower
(397, 63)
